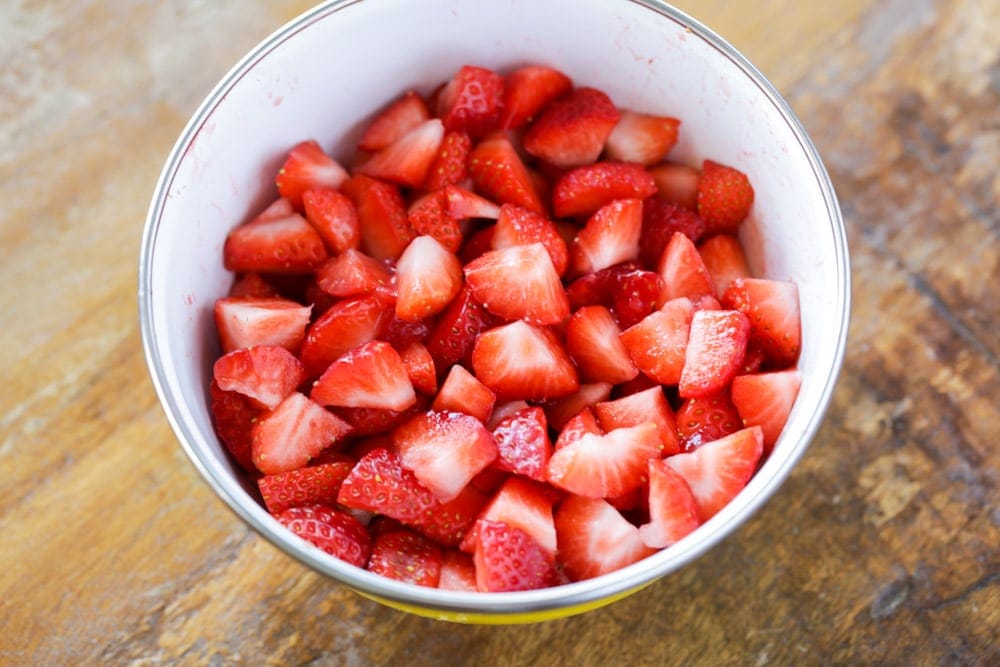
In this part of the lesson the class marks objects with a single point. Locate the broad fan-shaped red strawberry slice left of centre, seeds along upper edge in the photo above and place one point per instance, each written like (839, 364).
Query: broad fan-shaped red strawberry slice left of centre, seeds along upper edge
(371, 375)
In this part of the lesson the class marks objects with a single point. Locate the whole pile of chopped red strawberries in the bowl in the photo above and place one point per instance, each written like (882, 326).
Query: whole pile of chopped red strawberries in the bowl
(510, 346)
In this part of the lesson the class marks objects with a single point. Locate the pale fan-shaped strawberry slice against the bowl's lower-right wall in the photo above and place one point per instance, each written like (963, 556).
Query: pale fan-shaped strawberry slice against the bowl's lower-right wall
(718, 470)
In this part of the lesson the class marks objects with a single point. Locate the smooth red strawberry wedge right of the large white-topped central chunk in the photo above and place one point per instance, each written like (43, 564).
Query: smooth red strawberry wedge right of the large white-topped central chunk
(593, 341)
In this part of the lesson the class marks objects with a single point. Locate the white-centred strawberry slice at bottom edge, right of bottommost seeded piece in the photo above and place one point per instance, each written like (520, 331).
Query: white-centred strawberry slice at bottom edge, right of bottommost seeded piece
(595, 539)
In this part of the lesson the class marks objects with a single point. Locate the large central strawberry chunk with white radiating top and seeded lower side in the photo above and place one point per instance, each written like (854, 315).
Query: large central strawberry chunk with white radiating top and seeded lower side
(520, 361)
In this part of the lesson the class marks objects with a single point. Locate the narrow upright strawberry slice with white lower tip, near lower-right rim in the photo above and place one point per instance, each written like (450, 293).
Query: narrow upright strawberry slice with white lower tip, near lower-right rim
(673, 513)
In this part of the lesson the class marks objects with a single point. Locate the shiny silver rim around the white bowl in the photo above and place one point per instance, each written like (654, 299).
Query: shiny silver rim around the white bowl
(580, 595)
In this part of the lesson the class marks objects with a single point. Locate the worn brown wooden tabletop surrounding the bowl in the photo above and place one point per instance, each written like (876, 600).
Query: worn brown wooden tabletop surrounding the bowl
(883, 546)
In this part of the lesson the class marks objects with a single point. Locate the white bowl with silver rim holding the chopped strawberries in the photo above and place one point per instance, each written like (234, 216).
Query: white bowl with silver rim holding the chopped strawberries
(324, 73)
